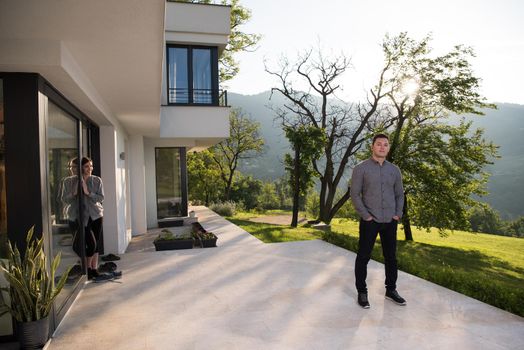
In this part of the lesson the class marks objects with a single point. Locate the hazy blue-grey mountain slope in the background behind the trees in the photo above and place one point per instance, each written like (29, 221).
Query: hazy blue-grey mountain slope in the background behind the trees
(503, 126)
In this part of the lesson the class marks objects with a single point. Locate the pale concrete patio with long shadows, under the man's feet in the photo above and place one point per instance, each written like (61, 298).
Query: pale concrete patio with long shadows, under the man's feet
(249, 295)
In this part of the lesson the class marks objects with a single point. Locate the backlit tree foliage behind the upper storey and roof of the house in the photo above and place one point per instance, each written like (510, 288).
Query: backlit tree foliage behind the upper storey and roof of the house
(238, 40)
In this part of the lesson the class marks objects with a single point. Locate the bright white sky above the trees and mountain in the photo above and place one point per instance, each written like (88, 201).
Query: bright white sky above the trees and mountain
(356, 28)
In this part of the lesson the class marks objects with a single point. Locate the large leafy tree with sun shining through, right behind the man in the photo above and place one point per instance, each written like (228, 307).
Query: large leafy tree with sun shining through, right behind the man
(442, 163)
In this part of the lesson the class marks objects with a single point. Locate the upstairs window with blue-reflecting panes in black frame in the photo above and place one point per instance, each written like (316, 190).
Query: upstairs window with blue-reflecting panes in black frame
(192, 75)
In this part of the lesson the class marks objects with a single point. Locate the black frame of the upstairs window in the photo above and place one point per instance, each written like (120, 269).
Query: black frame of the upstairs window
(214, 75)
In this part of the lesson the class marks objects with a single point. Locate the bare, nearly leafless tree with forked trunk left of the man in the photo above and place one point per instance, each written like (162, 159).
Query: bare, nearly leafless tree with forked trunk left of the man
(345, 125)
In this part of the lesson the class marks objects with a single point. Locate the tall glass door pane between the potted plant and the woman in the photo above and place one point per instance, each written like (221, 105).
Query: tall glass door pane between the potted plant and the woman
(63, 154)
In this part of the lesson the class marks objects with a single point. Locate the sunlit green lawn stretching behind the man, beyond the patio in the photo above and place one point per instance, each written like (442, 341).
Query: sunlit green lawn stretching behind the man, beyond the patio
(486, 267)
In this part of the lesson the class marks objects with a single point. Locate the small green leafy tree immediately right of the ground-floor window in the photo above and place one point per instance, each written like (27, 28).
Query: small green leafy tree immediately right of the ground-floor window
(203, 178)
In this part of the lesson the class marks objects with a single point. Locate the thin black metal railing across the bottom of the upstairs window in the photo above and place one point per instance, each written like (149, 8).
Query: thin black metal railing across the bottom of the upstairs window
(206, 97)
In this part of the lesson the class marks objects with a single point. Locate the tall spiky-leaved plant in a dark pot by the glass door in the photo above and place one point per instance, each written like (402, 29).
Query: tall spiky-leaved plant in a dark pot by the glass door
(32, 290)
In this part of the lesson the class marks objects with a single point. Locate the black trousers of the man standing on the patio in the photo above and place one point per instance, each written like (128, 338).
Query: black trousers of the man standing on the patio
(368, 231)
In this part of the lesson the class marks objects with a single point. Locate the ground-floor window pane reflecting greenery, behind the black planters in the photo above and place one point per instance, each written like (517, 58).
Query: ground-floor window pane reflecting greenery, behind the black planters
(170, 182)
